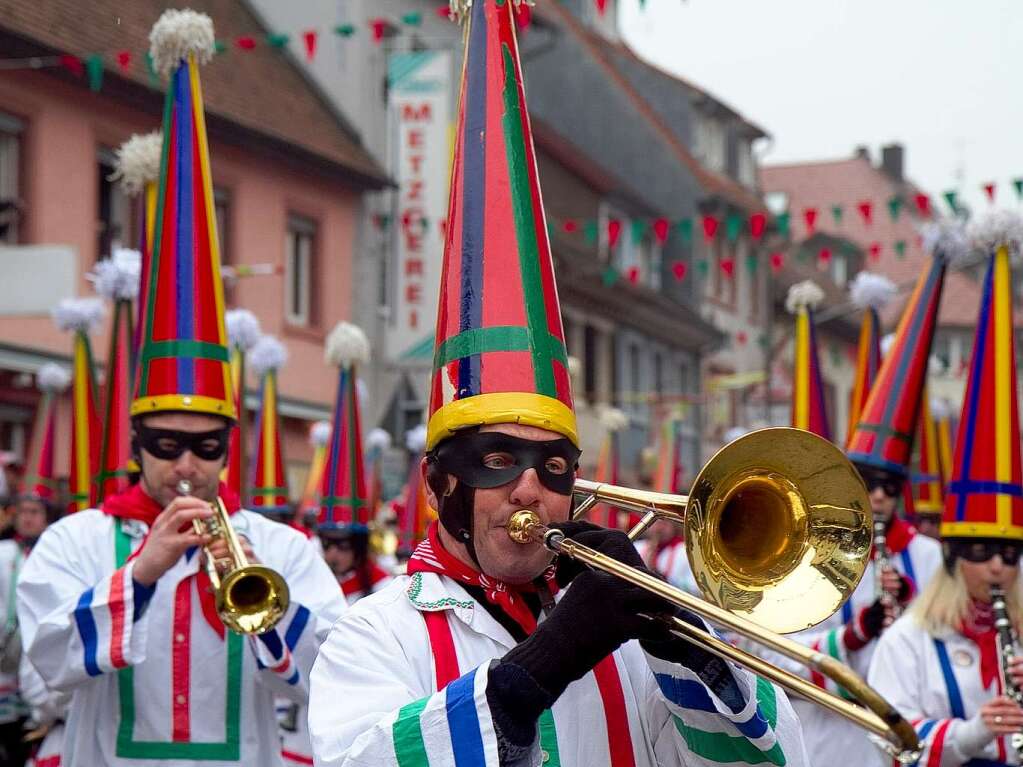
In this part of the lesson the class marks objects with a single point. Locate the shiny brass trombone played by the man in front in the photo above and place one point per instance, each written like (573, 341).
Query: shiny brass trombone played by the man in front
(778, 529)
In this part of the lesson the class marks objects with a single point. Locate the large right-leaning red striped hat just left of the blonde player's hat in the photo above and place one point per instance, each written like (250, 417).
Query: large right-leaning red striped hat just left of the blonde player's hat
(883, 438)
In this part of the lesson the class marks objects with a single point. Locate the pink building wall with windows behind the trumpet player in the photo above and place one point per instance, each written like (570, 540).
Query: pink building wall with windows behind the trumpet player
(66, 127)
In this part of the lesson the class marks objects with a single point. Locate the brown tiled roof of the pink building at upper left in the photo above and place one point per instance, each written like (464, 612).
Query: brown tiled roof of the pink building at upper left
(262, 91)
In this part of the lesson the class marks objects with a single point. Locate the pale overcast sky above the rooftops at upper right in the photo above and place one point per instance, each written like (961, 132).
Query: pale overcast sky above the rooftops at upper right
(944, 77)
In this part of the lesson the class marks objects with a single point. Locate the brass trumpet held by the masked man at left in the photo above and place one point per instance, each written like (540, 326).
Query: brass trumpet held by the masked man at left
(251, 599)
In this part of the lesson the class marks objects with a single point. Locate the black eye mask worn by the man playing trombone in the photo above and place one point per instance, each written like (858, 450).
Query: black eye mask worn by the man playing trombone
(464, 458)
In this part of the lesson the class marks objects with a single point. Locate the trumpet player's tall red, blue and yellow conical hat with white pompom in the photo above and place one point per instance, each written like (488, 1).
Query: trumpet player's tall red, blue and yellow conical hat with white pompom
(184, 357)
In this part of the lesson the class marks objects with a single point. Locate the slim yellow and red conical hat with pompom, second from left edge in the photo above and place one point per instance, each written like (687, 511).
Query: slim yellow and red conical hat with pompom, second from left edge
(80, 317)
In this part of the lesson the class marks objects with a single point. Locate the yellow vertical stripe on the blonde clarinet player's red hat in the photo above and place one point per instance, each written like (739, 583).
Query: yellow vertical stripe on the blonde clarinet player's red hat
(1004, 357)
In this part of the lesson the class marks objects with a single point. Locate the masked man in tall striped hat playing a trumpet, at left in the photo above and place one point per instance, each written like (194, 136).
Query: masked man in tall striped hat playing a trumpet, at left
(116, 604)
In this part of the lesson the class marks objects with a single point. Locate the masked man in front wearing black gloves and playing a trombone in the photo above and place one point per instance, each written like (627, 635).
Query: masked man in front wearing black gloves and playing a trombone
(485, 654)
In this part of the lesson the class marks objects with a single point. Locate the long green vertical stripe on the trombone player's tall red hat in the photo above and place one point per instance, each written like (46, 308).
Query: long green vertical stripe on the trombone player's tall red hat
(525, 224)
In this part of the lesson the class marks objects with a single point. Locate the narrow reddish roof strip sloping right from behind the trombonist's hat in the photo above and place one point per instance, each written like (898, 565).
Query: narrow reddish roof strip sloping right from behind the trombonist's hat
(713, 184)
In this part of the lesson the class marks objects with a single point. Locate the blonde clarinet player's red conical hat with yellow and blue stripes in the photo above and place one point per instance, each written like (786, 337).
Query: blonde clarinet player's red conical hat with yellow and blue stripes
(985, 499)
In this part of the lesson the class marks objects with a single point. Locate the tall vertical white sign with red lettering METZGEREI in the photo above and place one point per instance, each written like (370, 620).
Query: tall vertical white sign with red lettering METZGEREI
(420, 95)
